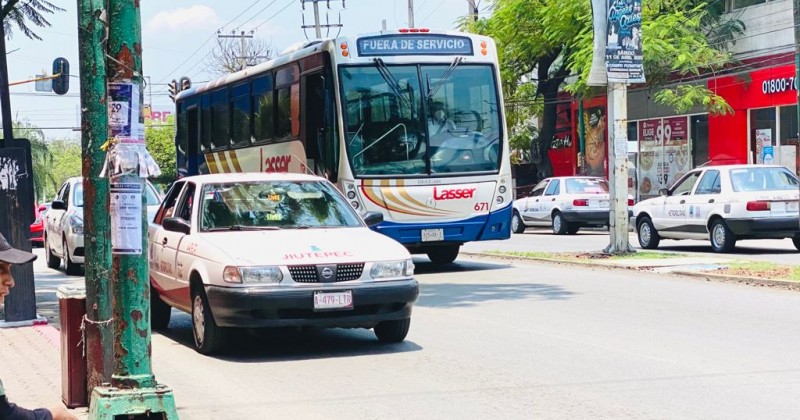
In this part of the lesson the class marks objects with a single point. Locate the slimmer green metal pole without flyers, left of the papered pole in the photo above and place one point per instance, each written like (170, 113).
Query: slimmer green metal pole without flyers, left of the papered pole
(99, 339)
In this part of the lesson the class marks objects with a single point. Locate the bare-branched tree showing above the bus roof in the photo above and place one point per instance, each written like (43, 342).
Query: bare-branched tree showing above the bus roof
(232, 54)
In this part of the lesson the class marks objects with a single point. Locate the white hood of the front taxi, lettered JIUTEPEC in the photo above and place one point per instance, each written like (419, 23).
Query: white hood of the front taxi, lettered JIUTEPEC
(301, 246)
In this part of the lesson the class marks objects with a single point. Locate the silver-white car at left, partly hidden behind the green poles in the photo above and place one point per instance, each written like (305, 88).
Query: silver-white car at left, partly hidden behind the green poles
(63, 232)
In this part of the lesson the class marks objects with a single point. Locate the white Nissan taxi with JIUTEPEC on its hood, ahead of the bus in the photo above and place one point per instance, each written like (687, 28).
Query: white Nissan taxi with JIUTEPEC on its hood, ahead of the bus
(274, 250)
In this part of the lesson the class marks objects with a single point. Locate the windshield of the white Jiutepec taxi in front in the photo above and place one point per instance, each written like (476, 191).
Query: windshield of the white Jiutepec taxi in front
(273, 205)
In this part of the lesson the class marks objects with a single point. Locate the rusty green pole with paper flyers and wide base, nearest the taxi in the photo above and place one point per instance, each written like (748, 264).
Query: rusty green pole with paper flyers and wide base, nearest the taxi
(133, 390)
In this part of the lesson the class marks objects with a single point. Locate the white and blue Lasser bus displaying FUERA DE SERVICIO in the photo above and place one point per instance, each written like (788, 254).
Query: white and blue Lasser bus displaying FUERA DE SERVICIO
(409, 123)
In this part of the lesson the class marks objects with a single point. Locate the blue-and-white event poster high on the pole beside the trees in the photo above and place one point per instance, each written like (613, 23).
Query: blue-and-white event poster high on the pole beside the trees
(624, 42)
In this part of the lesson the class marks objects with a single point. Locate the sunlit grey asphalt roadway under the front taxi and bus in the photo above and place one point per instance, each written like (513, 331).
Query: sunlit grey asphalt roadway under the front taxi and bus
(511, 340)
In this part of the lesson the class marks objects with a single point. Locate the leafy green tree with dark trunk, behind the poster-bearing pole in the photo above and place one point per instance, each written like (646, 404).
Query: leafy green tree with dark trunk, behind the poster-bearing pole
(551, 40)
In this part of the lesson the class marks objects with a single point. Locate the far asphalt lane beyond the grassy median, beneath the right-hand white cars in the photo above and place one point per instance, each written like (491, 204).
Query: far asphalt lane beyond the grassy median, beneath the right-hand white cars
(588, 240)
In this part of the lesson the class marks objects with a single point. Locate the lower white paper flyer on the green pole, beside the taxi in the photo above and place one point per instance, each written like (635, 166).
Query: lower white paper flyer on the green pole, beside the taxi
(126, 218)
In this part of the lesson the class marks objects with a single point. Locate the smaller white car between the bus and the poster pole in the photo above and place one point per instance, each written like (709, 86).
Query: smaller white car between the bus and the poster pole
(564, 203)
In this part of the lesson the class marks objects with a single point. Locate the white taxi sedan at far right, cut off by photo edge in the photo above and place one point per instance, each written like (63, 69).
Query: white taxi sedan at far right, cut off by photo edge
(723, 204)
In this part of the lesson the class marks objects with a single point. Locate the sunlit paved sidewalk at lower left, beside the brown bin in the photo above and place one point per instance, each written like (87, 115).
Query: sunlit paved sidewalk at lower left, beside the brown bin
(30, 366)
